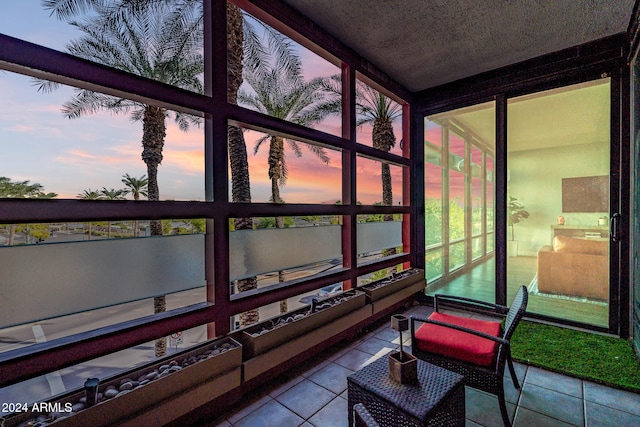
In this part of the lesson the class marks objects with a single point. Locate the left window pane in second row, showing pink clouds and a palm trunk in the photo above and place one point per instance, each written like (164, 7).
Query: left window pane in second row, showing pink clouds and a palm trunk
(97, 151)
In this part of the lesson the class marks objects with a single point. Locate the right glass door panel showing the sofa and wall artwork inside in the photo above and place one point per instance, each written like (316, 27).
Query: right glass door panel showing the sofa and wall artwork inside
(558, 200)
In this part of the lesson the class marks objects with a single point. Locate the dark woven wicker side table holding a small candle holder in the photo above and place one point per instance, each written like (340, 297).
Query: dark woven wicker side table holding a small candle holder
(436, 400)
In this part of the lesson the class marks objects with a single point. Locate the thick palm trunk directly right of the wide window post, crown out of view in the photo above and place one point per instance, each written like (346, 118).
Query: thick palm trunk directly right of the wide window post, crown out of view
(240, 186)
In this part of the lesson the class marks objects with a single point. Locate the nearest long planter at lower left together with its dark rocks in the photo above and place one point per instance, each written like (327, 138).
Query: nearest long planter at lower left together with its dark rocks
(171, 386)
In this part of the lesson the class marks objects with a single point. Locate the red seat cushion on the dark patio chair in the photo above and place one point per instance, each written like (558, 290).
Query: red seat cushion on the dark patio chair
(458, 344)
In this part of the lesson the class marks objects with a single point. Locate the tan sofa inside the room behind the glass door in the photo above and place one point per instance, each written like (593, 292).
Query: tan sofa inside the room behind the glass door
(574, 267)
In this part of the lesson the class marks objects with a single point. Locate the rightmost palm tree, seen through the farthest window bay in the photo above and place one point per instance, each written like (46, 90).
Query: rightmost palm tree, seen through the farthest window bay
(373, 107)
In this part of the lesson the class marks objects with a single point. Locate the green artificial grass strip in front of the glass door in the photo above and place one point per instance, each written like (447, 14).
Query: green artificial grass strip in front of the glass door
(601, 359)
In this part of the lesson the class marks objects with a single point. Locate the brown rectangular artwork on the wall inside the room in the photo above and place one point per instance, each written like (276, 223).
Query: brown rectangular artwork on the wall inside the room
(585, 194)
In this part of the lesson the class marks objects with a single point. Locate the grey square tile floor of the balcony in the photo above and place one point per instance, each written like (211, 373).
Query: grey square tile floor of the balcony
(314, 394)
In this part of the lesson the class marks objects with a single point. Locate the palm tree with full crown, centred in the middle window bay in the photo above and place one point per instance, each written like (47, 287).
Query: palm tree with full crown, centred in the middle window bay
(284, 94)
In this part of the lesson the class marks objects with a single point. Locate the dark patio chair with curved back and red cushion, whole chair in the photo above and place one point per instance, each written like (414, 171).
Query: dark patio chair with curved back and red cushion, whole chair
(477, 349)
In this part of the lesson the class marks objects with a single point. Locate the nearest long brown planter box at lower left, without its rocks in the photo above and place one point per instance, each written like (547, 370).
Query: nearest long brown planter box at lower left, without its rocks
(194, 384)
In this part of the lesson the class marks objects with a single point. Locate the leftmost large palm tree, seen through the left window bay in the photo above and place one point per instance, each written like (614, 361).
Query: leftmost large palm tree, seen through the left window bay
(163, 43)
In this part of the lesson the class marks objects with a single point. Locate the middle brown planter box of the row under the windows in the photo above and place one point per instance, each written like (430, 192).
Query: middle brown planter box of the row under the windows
(254, 344)
